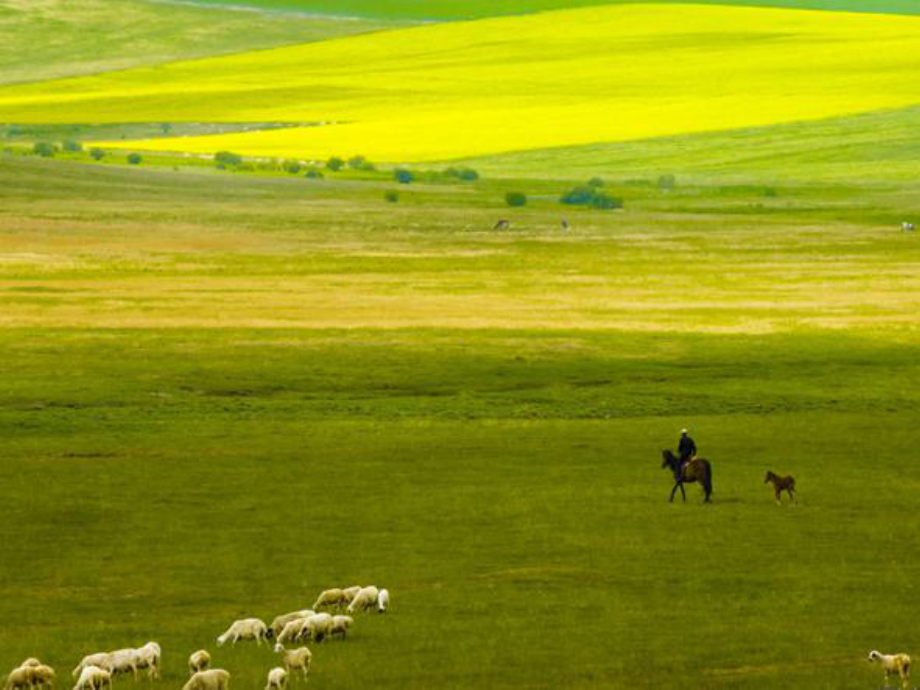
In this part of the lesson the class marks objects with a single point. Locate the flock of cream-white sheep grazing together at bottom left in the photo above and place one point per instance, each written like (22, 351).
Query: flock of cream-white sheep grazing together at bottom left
(97, 671)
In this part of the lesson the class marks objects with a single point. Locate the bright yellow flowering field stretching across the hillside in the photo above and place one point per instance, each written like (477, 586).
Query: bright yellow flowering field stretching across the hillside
(555, 79)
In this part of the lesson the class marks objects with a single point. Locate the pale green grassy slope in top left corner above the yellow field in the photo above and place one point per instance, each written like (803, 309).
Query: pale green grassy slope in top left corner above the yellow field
(48, 39)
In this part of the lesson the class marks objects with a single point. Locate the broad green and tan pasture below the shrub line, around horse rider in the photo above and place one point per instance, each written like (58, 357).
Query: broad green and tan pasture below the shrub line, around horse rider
(224, 393)
